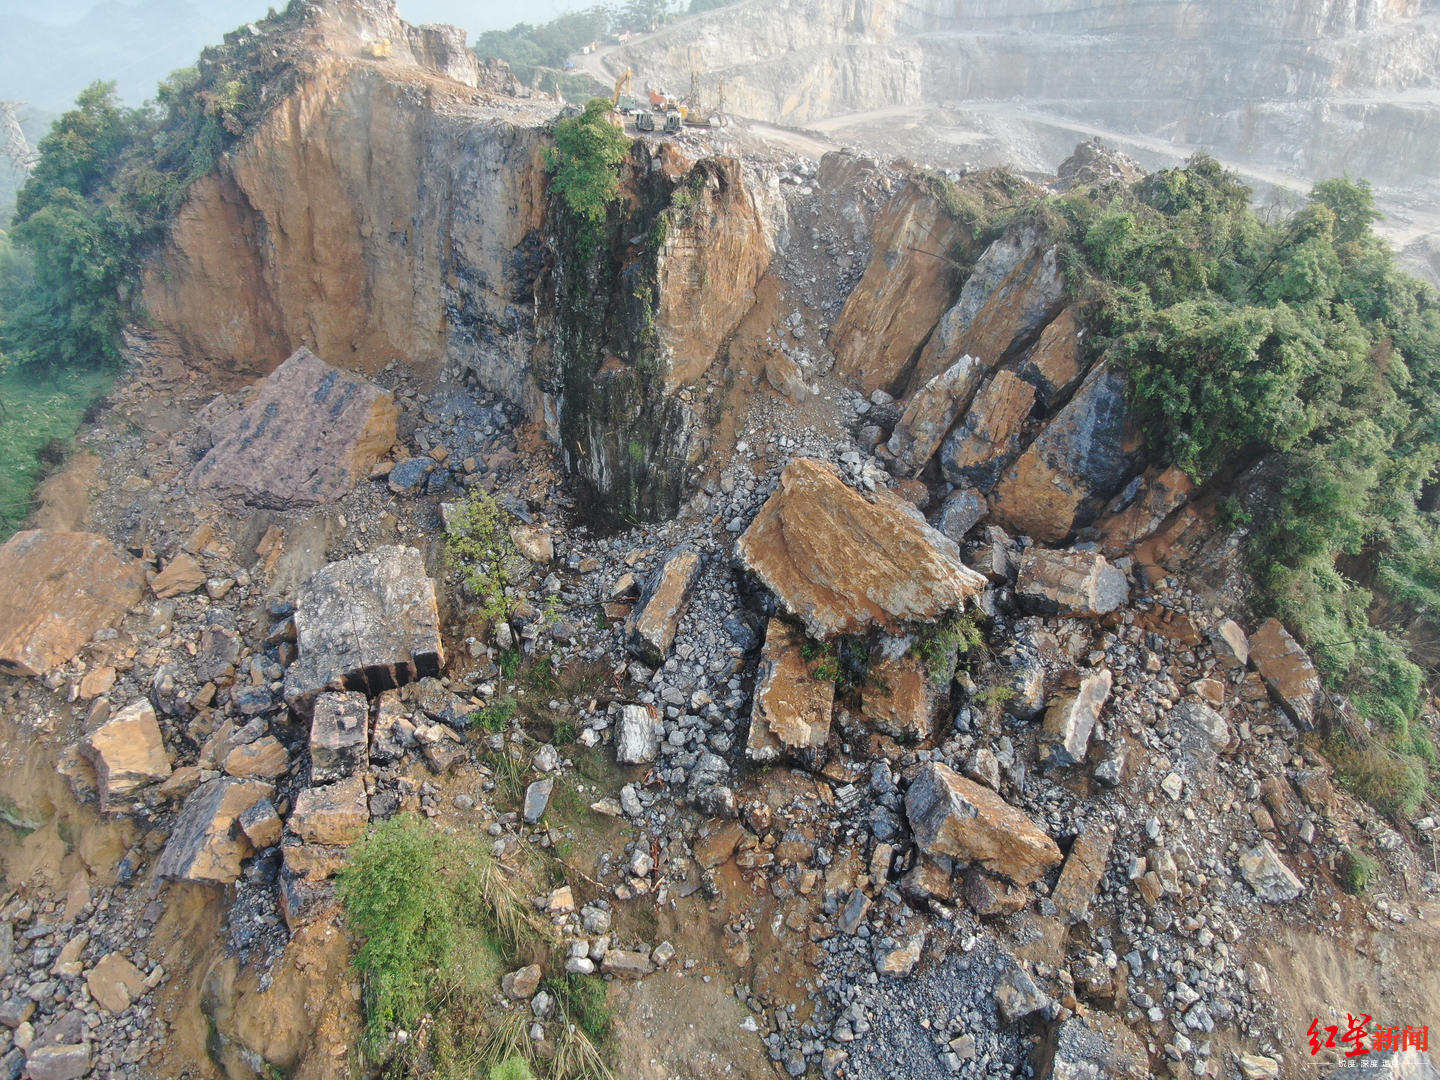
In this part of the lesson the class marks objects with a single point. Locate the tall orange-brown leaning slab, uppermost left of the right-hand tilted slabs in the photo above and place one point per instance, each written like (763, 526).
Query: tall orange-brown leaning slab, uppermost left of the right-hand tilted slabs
(902, 294)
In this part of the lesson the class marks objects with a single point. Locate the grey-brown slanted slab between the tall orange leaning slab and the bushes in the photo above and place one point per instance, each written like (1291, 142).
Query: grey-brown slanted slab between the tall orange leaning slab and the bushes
(1013, 293)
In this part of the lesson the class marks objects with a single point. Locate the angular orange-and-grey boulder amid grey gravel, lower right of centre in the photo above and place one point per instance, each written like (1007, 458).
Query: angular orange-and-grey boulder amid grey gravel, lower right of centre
(951, 816)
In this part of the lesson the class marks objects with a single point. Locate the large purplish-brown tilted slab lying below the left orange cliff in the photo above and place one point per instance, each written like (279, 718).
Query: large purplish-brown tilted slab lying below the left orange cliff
(309, 434)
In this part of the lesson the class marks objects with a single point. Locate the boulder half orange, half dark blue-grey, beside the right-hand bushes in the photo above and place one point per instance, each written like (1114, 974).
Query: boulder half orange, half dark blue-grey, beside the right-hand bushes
(1085, 454)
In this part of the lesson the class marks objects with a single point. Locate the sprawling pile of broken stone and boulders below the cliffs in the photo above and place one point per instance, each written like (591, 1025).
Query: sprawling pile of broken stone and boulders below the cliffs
(1138, 780)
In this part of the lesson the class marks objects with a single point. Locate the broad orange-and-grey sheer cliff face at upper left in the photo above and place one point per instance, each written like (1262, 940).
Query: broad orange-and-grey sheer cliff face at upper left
(352, 221)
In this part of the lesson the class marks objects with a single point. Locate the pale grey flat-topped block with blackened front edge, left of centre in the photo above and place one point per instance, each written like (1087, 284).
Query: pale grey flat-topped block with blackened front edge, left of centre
(365, 624)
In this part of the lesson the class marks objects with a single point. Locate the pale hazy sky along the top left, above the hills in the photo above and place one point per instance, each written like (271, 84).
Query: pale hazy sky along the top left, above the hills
(51, 51)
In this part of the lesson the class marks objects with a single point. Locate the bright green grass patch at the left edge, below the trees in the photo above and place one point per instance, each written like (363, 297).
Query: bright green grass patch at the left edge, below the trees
(38, 415)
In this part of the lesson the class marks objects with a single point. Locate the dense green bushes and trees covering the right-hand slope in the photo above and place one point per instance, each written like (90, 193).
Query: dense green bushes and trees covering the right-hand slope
(1300, 364)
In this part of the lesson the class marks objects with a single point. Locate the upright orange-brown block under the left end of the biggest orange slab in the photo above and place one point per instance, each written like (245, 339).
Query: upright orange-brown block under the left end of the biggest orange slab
(793, 709)
